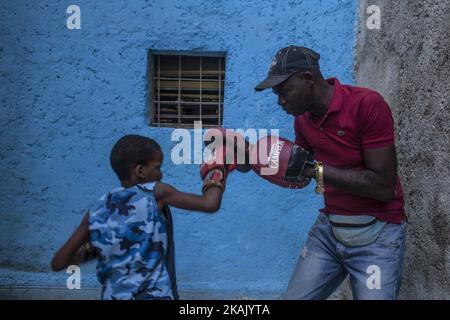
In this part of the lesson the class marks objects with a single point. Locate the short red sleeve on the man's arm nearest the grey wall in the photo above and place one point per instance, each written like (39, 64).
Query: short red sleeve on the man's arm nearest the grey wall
(377, 125)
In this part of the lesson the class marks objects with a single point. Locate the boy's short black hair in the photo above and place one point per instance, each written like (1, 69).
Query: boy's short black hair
(130, 151)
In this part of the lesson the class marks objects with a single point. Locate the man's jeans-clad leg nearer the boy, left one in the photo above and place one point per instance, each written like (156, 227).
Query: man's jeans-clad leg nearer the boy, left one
(319, 270)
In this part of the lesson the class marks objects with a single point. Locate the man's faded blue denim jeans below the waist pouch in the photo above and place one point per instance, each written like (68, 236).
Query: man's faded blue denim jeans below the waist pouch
(375, 270)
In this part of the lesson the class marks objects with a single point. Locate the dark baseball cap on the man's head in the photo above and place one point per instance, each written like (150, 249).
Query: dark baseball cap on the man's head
(288, 61)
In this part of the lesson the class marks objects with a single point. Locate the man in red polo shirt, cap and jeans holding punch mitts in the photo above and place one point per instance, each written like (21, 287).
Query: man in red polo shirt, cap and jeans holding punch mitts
(350, 133)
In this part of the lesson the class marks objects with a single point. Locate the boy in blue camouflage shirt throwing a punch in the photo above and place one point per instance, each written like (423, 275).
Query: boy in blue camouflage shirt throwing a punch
(130, 229)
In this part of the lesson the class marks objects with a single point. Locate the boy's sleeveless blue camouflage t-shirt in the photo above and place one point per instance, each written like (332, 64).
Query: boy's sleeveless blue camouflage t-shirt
(130, 236)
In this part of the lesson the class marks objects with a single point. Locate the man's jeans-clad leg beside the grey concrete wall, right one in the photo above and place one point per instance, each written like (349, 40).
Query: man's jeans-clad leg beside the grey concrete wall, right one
(376, 269)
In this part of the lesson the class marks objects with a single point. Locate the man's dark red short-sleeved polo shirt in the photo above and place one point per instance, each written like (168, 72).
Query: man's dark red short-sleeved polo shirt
(357, 119)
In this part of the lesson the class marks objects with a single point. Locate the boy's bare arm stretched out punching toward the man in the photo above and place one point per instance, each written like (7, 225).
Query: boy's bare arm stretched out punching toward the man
(208, 202)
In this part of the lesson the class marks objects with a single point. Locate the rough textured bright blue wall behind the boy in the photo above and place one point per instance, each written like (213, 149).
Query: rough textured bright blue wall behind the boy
(68, 95)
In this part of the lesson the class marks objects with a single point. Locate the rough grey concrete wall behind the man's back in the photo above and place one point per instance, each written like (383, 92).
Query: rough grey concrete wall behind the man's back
(407, 61)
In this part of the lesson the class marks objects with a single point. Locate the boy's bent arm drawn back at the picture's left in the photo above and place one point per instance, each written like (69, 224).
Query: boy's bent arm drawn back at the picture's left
(67, 254)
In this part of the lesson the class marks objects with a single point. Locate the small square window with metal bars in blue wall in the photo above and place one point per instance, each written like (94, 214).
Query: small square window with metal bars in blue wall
(186, 88)
